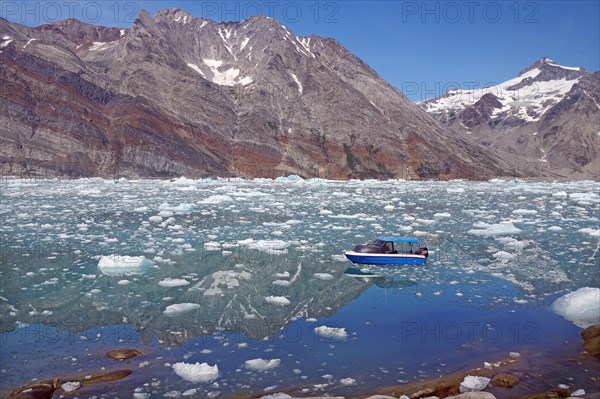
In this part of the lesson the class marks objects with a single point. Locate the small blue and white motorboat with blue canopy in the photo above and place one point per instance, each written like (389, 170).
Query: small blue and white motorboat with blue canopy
(389, 251)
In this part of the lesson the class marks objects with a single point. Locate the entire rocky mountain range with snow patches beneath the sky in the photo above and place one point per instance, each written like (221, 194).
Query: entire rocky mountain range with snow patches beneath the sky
(175, 95)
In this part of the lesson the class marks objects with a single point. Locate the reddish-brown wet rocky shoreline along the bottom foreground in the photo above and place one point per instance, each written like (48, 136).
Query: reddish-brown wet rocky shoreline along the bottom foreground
(517, 376)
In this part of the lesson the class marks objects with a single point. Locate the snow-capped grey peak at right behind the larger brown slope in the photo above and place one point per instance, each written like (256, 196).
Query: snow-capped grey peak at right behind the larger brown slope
(546, 120)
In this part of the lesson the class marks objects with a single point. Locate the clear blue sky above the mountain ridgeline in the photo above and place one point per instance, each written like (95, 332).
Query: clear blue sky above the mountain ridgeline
(421, 47)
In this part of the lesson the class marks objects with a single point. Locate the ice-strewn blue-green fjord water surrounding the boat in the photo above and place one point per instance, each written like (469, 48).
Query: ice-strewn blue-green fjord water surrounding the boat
(244, 270)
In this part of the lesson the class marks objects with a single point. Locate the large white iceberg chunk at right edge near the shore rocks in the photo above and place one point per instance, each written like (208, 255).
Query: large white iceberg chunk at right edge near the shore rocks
(582, 307)
